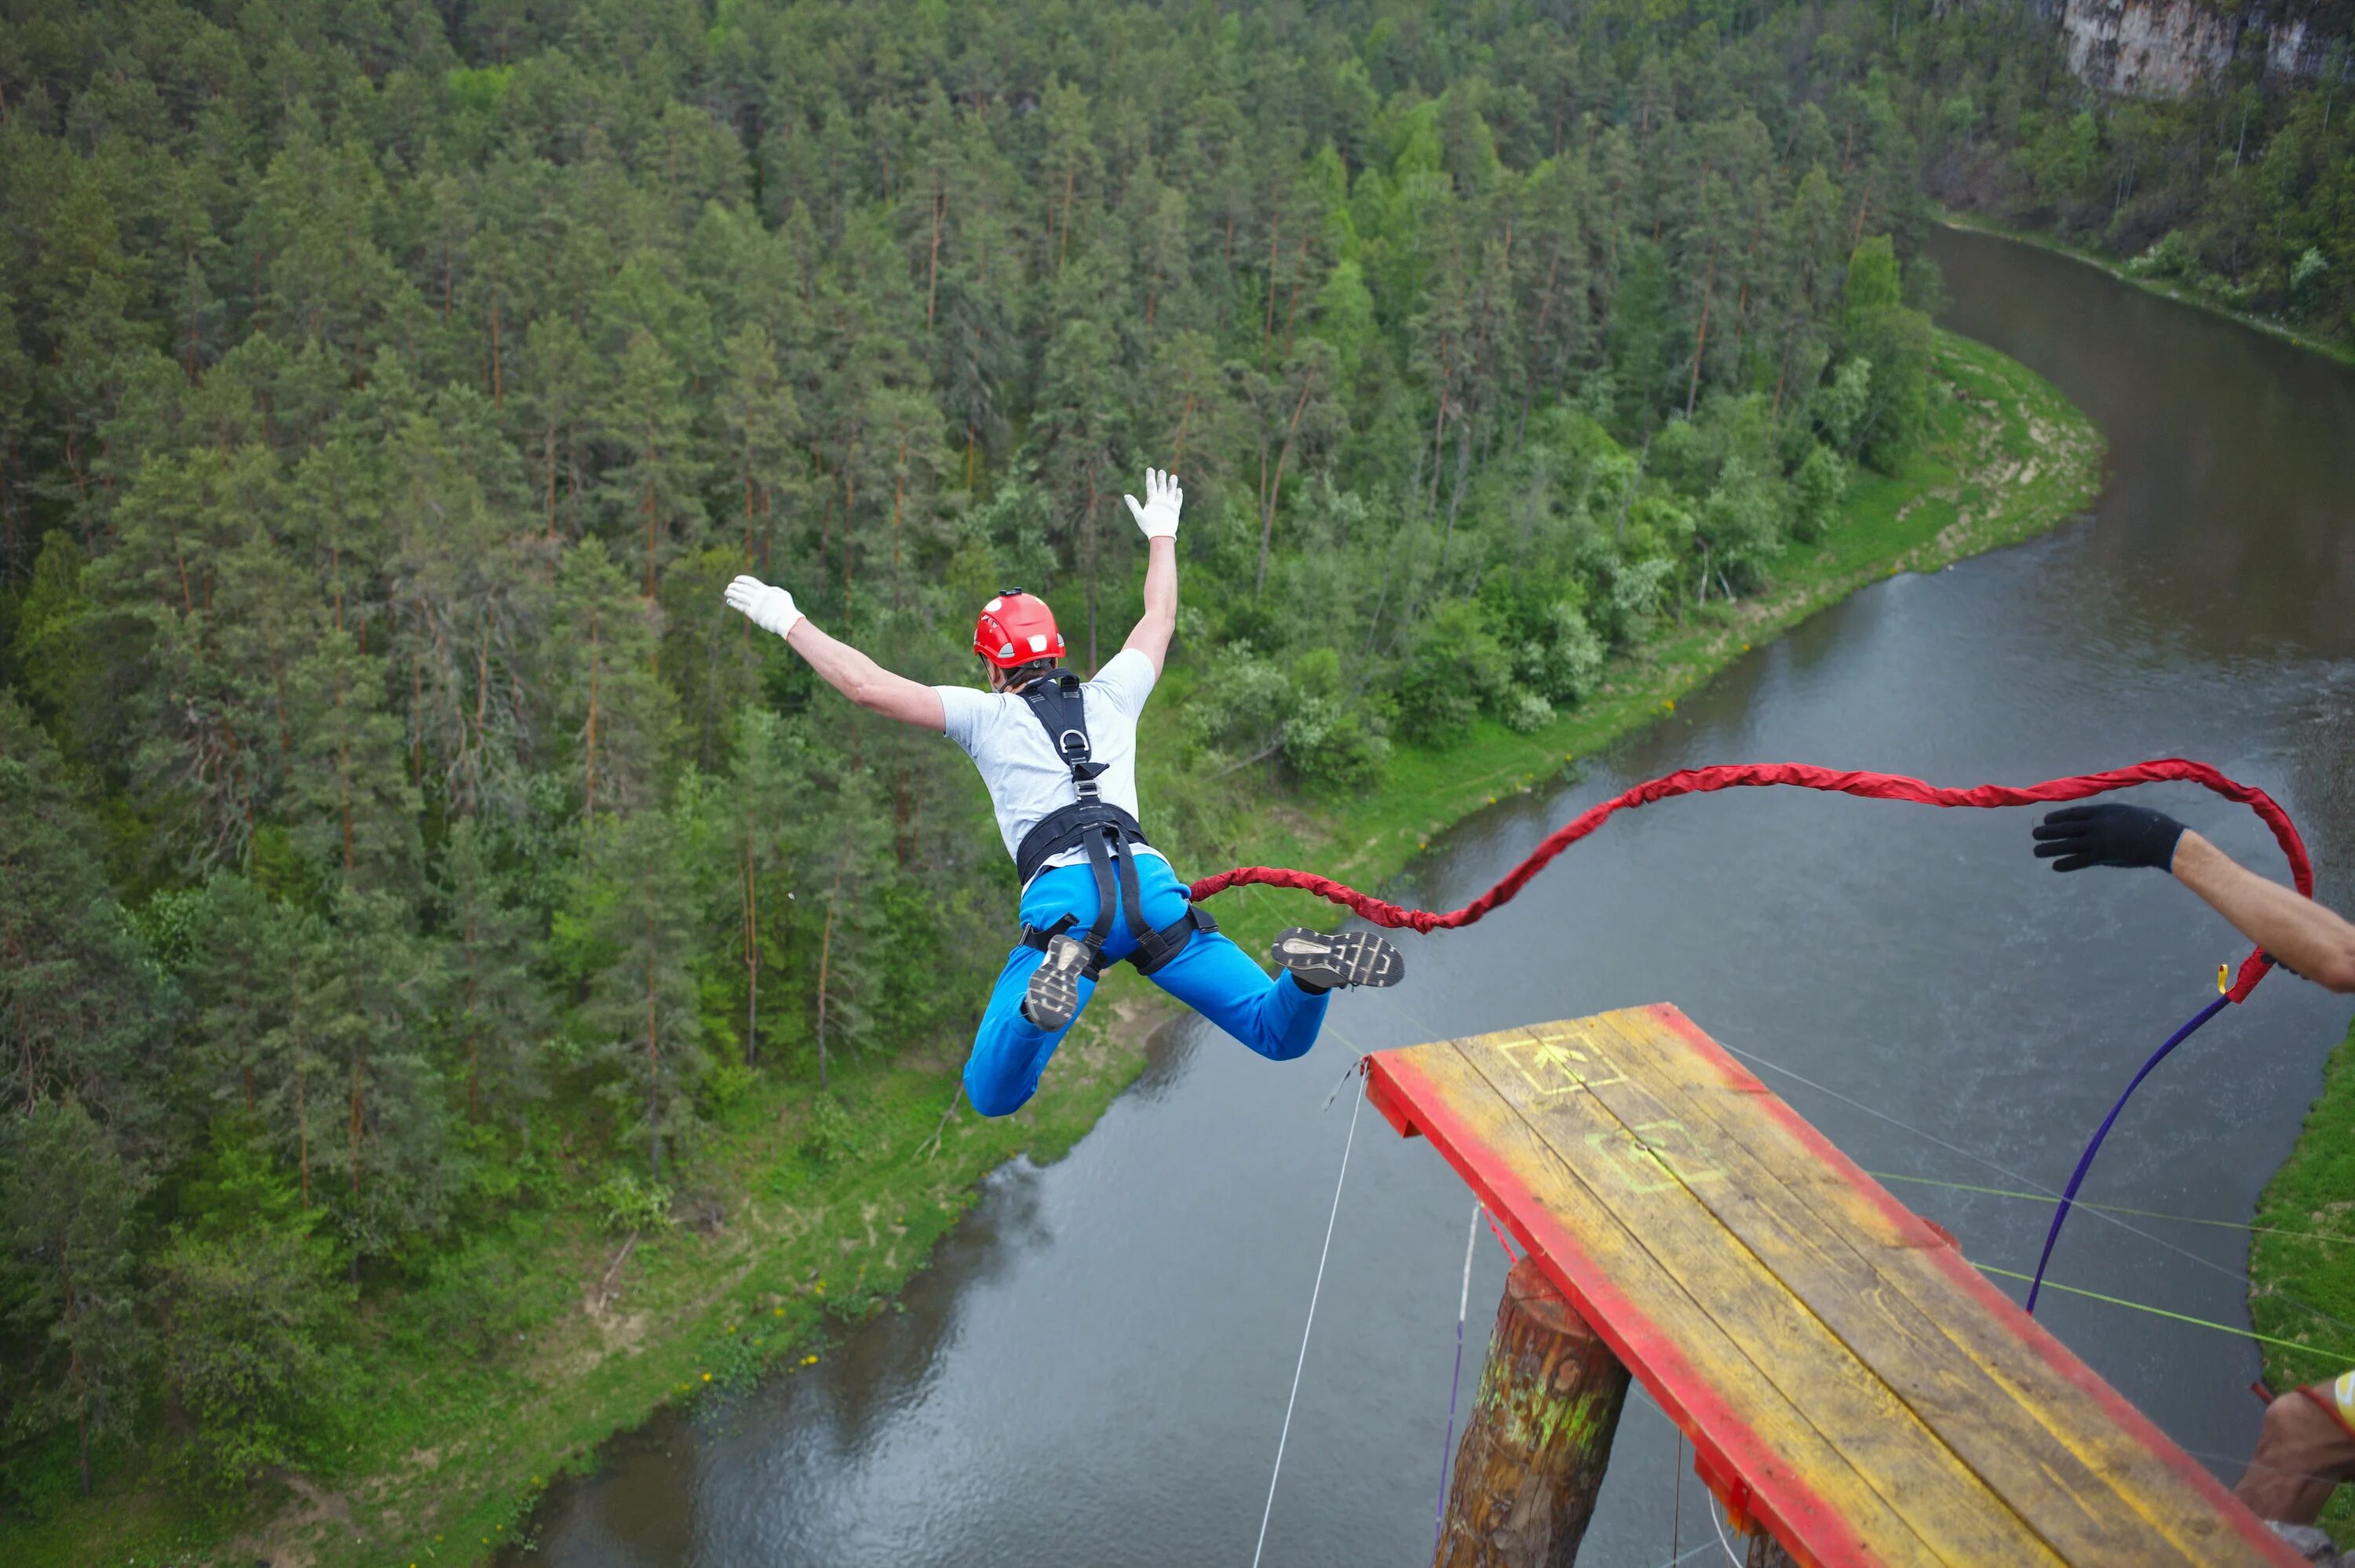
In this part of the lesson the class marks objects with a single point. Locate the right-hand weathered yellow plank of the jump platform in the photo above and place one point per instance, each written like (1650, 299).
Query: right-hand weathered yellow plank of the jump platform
(2071, 1480)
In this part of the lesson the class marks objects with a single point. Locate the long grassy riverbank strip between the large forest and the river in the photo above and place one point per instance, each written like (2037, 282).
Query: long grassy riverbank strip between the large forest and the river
(811, 1228)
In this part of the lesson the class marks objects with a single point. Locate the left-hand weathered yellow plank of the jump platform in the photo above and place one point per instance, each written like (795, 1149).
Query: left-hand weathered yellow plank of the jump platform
(1774, 1364)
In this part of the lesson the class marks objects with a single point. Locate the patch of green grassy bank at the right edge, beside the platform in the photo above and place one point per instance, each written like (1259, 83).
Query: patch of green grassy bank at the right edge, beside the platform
(2302, 1261)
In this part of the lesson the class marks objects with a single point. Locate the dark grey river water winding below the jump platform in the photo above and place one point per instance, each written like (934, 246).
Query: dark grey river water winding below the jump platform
(1099, 1362)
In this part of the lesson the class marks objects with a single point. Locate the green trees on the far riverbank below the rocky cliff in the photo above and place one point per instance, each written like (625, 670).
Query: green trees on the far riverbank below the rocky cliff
(2238, 194)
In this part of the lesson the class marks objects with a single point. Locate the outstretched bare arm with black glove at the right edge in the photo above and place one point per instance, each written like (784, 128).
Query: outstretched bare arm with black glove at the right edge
(2297, 931)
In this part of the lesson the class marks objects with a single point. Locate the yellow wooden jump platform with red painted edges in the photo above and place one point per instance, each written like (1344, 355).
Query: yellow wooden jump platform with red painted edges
(1847, 1381)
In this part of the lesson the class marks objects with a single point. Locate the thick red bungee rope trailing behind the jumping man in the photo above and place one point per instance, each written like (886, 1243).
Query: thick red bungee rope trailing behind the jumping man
(1803, 776)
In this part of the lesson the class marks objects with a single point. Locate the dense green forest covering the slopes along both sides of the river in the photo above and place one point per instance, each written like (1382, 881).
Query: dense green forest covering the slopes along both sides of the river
(399, 837)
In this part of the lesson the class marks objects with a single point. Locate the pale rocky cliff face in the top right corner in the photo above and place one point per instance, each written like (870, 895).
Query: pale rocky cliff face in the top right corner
(2165, 48)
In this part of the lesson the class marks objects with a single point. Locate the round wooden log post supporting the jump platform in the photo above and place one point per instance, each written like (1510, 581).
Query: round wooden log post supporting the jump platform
(1539, 1435)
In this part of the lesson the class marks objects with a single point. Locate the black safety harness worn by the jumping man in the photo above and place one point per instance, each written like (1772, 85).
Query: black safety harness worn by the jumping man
(1106, 832)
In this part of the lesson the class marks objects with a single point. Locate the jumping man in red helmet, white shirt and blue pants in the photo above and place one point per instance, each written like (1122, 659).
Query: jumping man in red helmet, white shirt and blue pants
(1061, 764)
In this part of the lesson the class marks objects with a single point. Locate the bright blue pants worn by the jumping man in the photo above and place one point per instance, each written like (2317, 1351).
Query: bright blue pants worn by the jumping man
(1212, 976)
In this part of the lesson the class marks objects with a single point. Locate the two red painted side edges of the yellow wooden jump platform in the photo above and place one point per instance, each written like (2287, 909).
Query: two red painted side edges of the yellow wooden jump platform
(1725, 1447)
